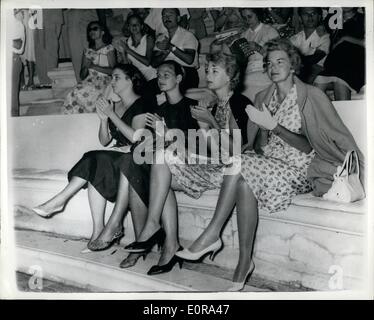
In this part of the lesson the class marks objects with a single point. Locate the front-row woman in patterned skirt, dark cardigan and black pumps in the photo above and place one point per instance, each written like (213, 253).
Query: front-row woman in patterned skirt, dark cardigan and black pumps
(193, 179)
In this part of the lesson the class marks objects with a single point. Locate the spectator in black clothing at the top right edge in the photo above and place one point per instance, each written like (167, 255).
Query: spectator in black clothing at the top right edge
(345, 65)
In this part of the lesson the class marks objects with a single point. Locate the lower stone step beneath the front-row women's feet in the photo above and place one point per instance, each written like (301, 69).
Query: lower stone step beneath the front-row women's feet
(59, 258)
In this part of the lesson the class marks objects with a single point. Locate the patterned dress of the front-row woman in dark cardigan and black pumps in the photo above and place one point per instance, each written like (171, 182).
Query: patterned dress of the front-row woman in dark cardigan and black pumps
(194, 179)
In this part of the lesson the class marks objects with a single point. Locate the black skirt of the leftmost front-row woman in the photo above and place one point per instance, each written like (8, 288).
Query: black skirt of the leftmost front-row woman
(101, 169)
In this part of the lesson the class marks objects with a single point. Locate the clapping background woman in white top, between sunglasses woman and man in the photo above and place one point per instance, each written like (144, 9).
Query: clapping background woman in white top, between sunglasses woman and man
(138, 48)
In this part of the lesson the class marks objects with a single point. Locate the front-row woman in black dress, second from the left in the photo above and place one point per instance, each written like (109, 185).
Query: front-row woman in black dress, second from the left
(174, 111)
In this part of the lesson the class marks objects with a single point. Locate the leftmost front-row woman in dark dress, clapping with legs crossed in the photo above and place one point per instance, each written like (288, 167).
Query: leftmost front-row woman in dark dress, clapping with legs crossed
(99, 170)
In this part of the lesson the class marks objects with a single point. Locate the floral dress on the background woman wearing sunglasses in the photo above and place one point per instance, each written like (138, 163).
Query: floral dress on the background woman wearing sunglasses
(84, 95)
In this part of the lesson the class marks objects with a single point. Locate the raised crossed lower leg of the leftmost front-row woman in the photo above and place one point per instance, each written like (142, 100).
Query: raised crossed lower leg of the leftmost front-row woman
(60, 199)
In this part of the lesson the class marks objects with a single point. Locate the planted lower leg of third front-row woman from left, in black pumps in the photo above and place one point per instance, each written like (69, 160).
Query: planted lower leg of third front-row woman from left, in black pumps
(170, 224)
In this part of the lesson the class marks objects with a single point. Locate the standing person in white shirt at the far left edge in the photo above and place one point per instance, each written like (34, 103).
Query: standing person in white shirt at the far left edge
(17, 37)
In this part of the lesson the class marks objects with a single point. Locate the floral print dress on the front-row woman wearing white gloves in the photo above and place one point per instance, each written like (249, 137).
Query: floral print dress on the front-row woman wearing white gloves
(280, 173)
